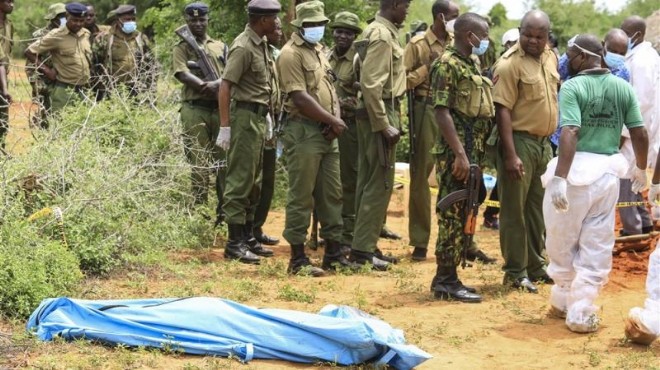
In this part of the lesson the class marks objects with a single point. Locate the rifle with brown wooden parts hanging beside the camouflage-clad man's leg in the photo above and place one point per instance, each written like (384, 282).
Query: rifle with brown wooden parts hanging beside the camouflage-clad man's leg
(470, 209)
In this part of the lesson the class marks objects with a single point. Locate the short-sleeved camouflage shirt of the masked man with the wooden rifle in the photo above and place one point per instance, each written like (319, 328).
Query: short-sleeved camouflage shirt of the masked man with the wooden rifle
(447, 89)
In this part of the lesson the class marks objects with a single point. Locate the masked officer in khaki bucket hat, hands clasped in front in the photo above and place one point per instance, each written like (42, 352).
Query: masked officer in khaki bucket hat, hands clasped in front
(309, 140)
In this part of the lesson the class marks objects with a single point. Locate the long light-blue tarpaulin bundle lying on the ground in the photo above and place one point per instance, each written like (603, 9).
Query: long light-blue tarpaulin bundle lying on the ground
(219, 327)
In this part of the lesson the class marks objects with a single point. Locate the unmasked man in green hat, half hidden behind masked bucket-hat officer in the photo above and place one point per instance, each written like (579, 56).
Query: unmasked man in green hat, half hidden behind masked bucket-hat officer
(345, 28)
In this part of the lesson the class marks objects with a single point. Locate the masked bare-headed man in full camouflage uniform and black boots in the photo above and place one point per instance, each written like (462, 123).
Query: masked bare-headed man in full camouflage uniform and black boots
(457, 88)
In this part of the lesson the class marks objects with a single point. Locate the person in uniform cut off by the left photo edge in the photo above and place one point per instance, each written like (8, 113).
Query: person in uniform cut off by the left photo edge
(6, 43)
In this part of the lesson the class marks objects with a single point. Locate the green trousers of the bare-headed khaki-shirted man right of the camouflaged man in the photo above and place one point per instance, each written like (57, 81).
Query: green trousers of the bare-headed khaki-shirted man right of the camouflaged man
(521, 208)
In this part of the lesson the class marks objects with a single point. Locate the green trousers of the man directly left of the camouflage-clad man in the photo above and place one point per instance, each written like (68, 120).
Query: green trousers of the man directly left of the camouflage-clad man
(419, 201)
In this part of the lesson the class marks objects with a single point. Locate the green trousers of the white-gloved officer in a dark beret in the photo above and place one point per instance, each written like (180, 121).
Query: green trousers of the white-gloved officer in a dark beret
(244, 163)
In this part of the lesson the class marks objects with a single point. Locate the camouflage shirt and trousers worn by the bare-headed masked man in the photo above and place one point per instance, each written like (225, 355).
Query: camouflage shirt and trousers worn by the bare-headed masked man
(450, 75)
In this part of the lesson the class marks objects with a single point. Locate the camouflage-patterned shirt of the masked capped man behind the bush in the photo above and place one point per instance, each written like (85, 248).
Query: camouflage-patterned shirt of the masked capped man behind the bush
(122, 55)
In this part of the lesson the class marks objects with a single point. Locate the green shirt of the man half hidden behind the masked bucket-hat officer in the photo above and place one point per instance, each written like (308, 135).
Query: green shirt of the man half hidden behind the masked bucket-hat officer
(346, 79)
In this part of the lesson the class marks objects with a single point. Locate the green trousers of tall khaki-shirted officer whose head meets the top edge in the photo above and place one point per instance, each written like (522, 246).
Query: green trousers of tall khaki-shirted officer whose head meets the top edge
(374, 186)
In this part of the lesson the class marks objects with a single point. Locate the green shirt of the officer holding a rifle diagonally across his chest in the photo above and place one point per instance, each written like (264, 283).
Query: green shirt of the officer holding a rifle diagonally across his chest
(215, 50)
